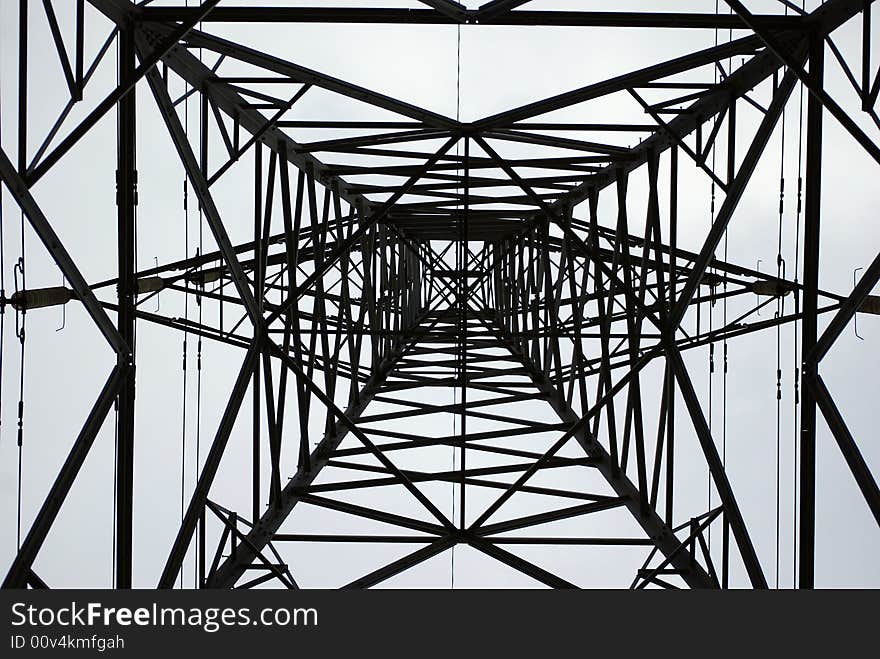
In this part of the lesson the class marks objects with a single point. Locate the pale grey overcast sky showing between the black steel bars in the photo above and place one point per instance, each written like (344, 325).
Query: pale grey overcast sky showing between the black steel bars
(501, 67)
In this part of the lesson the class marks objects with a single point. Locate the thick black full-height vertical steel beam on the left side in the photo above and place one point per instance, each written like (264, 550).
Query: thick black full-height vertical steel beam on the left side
(126, 198)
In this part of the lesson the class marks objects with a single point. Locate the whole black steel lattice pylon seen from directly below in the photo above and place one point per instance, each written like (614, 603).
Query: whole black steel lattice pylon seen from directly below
(461, 269)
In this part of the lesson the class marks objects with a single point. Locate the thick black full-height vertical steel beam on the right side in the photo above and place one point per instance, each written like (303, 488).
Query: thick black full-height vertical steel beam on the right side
(812, 208)
